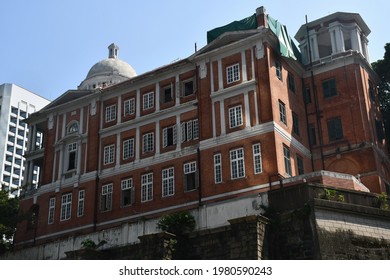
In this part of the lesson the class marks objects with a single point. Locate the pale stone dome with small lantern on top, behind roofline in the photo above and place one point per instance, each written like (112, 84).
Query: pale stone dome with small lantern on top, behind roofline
(108, 71)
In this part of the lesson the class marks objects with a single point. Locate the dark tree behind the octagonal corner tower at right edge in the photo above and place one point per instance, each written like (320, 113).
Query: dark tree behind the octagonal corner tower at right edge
(382, 68)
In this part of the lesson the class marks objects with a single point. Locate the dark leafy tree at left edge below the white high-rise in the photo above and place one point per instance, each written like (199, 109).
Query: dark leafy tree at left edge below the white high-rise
(9, 209)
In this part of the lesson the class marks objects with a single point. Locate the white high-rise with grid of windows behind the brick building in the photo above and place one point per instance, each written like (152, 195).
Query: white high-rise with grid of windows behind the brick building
(16, 104)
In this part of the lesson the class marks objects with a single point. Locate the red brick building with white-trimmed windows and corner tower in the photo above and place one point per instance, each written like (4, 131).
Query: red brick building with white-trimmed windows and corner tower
(230, 121)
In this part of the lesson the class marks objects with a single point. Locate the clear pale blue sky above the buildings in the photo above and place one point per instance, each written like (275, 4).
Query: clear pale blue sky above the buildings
(49, 46)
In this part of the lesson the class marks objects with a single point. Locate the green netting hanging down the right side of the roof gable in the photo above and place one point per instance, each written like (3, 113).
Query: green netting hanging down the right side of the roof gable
(287, 46)
